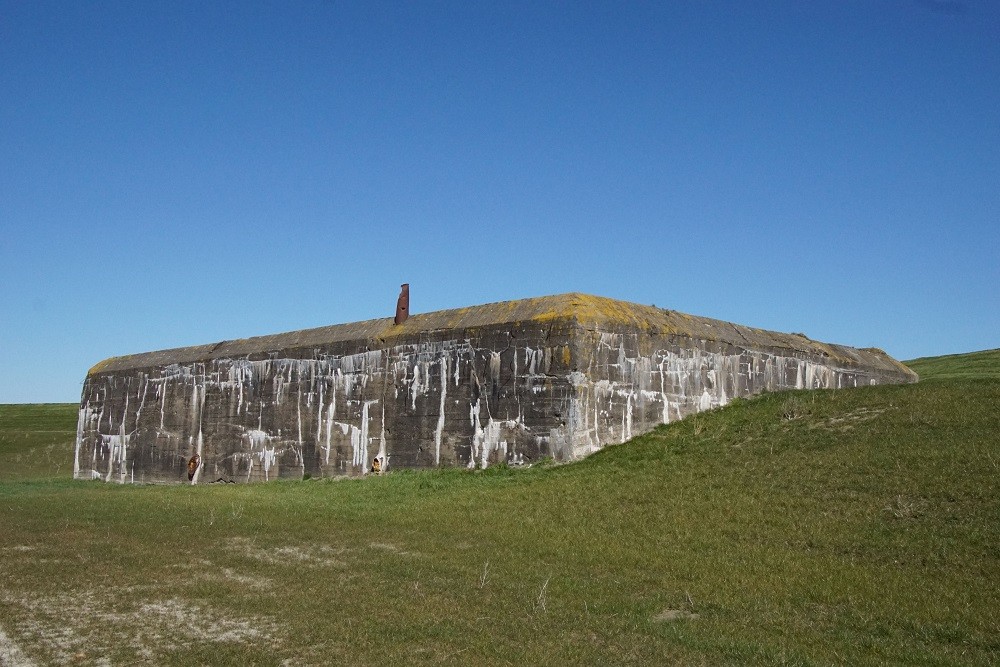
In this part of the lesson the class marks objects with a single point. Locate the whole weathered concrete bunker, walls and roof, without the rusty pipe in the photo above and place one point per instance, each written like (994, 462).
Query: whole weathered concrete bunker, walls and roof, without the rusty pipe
(557, 376)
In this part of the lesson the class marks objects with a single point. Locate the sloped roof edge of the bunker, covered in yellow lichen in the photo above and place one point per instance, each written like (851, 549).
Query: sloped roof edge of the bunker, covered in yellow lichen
(588, 312)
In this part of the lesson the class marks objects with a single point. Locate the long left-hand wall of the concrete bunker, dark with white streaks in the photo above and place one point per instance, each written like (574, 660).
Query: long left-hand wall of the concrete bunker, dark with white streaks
(315, 414)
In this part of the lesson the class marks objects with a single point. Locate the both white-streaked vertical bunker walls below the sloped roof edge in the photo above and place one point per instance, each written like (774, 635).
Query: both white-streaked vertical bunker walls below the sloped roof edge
(330, 426)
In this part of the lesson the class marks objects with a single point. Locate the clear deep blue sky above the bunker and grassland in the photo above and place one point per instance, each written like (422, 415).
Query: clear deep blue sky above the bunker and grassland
(186, 172)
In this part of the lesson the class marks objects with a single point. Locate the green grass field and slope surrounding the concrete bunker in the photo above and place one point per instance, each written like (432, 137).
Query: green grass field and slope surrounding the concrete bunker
(852, 527)
